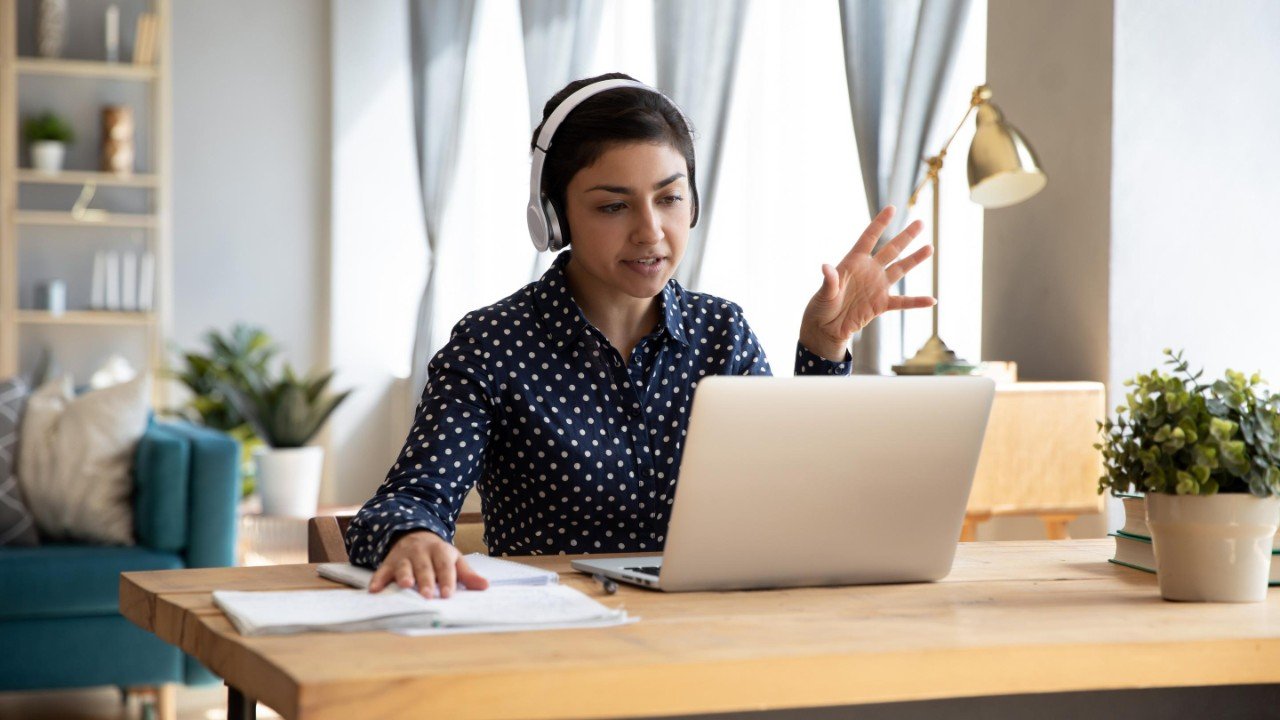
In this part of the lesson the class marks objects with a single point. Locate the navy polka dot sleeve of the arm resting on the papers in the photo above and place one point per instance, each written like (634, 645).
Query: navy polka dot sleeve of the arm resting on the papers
(442, 458)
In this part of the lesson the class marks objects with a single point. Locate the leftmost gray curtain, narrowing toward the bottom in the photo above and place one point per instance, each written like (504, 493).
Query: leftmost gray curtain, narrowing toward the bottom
(440, 40)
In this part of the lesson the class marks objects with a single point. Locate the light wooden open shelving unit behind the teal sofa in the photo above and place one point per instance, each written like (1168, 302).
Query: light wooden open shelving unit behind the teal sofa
(107, 81)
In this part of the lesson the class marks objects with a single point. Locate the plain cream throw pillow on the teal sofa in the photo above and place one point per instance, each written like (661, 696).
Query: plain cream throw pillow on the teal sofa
(76, 459)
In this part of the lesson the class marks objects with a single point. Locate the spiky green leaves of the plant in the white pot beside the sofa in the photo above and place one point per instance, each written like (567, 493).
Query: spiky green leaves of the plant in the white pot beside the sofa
(289, 412)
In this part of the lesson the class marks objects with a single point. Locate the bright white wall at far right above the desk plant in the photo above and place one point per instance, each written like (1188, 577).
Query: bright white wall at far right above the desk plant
(1194, 241)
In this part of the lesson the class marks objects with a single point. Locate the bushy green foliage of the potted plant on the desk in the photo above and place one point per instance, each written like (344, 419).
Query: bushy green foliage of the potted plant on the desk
(1178, 436)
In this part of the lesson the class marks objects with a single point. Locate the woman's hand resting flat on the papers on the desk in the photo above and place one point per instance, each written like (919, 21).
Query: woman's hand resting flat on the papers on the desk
(428, 560)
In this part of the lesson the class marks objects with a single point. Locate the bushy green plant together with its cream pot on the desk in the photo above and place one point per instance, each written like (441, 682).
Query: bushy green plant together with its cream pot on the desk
(1208, 457)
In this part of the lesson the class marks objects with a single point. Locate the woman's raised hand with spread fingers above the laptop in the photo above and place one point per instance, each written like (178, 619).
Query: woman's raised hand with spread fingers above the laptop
(857, 291)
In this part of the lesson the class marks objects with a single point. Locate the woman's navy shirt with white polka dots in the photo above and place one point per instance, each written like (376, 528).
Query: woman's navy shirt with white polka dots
(573, 449)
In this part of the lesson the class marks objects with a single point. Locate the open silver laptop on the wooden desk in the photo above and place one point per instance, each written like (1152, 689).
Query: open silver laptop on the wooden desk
(790, 482)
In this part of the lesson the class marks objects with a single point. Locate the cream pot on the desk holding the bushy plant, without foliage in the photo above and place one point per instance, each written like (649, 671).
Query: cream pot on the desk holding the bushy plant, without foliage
(1215, 548)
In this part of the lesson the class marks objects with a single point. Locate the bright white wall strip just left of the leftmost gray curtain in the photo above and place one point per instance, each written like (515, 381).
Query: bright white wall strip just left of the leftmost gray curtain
(378, 245)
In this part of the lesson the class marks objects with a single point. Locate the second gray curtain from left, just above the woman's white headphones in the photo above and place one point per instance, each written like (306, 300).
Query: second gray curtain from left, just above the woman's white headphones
(560, 37)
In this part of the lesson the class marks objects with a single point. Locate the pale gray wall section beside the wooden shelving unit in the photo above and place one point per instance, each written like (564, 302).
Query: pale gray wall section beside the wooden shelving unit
(252, 166)
